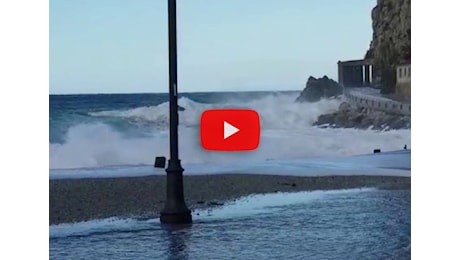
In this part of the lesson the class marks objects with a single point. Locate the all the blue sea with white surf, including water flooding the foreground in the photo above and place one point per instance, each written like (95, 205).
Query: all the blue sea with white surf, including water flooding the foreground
(119, 135)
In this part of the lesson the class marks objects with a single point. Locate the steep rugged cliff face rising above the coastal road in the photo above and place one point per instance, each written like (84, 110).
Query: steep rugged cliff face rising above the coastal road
(390, 45)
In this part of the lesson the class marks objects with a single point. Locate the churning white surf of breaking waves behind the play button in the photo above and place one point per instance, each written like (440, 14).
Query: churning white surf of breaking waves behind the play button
(287, 133)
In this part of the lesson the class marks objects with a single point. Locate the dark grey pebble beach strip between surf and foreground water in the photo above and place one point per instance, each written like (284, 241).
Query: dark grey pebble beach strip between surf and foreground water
(75, 200)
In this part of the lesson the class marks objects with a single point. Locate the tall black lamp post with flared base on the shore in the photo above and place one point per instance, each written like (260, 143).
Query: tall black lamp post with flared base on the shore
(175, 210)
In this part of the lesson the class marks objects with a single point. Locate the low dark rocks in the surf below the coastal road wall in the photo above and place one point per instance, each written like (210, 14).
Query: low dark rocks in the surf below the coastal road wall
(349, 117)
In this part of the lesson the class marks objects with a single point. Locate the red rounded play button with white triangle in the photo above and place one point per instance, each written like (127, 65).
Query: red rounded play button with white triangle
(230, 130)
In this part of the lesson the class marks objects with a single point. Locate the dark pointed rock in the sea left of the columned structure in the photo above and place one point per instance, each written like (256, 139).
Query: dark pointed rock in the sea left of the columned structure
(316, 89)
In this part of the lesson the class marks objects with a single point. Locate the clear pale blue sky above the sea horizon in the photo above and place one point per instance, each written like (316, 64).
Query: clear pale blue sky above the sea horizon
(121, 46)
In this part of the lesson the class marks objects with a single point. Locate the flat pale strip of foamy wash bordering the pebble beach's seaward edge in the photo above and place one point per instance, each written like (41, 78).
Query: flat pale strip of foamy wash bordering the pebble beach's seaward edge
(395, 163)
